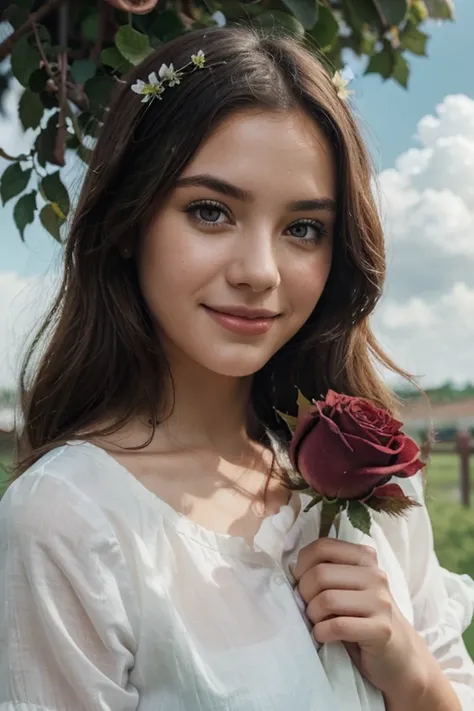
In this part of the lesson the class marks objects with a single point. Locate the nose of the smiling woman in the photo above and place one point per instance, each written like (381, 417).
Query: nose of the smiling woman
(254, 263)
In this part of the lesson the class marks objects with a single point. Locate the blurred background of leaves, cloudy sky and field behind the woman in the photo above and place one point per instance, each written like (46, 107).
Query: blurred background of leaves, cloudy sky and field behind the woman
(413, 94)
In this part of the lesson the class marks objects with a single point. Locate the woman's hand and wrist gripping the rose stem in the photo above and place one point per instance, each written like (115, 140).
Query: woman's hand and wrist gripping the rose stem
(348, 600)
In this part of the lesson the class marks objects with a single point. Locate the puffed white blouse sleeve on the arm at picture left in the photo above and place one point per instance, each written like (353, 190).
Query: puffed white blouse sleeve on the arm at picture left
(67, 641)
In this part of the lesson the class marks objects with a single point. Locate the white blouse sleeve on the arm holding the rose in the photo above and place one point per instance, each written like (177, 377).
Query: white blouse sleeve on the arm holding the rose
(443, 604)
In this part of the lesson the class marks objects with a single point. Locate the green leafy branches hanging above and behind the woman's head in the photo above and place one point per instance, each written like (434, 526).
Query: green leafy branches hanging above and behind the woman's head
(99, 44)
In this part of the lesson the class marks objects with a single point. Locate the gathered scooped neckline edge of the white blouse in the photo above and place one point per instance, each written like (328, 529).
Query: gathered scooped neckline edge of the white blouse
(268, 540)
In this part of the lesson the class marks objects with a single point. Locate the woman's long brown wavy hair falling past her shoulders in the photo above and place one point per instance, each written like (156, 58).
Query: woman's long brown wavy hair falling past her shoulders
(100, 360)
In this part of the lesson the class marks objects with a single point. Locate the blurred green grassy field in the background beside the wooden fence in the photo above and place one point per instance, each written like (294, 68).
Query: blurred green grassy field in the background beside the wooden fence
(453, 525)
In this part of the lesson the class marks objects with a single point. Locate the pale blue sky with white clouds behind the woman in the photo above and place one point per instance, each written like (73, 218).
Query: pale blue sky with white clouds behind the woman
(423, 146)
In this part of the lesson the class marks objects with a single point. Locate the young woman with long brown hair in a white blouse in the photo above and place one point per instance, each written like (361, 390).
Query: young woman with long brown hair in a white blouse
(154, 554)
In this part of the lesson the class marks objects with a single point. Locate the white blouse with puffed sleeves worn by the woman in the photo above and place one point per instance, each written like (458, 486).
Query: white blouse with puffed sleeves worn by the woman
(110, 600)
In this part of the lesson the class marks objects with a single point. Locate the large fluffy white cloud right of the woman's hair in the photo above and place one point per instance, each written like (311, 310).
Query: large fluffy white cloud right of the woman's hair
(426, 319)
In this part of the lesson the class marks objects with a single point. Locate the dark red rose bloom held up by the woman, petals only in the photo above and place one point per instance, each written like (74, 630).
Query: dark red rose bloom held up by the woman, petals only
(344, 447)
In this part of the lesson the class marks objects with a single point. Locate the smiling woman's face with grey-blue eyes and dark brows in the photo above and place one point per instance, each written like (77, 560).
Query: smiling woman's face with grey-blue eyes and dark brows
(237, 258)
